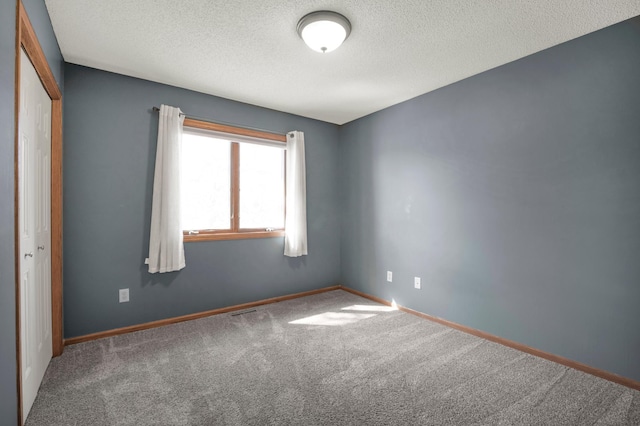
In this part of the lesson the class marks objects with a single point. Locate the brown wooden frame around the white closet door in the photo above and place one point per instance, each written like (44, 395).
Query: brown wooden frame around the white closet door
(26, 39)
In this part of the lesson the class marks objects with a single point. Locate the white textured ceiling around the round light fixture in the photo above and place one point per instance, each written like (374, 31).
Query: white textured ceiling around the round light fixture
(248, 50)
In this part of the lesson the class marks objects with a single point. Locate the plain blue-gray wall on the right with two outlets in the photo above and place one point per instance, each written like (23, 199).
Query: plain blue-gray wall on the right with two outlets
(515, 196)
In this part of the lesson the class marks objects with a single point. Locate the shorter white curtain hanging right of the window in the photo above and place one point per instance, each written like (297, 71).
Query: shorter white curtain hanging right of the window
(295, 240)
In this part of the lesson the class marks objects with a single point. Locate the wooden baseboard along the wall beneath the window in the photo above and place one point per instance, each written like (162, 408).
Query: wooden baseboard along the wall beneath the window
(189, 317)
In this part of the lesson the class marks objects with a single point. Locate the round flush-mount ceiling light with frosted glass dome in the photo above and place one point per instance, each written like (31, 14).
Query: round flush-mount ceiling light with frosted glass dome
(324, 31)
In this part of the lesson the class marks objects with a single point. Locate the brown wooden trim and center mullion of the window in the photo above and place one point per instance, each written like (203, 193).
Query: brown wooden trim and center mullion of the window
(235, 233)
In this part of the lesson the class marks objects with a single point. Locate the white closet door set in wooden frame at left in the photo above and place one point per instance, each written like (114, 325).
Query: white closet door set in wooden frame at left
(34, 217)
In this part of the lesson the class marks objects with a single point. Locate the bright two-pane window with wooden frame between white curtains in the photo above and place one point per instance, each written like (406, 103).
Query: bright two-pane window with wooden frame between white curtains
(233, 182)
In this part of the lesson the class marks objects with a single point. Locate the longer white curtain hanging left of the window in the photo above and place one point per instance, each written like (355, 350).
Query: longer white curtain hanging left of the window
(166, 248)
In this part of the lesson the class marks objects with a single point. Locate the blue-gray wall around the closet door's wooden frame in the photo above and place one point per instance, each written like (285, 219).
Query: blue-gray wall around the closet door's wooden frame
(40, 21)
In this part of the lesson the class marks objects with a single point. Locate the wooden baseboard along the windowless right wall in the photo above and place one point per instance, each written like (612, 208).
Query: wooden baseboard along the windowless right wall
(510, 343)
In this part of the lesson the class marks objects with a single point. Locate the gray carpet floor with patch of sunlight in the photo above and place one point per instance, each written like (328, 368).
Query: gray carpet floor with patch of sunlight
(329, 359)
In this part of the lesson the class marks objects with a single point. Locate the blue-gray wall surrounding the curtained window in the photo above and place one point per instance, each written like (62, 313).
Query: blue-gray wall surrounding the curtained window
(110, 140)
